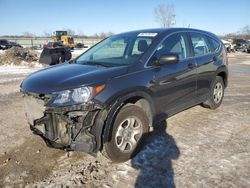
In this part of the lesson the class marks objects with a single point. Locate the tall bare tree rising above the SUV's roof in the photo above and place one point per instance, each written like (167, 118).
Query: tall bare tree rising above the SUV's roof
(165, 15)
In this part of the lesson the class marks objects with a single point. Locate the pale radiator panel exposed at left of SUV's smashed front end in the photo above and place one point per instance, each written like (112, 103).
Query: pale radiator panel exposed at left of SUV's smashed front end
(34, 108)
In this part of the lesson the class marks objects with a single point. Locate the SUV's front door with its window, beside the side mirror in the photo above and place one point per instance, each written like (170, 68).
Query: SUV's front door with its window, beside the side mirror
(175, 83)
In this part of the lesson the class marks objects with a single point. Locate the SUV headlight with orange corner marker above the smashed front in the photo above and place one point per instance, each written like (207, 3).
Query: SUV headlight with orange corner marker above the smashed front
(76, 96)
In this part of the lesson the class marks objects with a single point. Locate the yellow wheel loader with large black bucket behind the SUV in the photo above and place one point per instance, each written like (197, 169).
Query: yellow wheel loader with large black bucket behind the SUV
(59, 50)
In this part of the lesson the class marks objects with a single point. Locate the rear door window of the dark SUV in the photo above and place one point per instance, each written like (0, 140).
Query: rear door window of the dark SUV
(200, 44)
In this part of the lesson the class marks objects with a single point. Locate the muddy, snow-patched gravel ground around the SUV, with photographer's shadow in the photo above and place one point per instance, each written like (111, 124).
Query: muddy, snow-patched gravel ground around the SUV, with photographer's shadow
(197, 147)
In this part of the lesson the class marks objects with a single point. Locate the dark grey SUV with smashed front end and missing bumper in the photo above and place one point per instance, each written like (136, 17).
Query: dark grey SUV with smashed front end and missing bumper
(112, 95)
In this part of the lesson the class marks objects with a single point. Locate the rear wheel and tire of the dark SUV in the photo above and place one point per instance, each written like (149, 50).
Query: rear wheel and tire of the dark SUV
(216, 94)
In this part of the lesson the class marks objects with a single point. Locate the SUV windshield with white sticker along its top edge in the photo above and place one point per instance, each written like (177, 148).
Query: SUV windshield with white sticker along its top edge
(117, 50)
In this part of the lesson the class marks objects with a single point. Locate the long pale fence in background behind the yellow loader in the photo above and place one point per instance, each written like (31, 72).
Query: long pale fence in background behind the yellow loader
(40, 41)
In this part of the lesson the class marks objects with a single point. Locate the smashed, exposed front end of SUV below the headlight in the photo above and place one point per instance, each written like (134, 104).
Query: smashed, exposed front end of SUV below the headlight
(77, 127)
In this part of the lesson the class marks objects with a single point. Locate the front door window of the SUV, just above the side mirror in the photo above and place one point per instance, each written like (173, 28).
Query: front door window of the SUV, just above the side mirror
(175, 44)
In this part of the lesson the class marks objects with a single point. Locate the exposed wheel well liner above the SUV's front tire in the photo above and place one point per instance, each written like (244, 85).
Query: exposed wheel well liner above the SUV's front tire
(144, 104)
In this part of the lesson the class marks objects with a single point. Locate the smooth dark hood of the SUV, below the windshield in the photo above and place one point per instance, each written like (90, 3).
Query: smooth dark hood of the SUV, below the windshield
(68, 76)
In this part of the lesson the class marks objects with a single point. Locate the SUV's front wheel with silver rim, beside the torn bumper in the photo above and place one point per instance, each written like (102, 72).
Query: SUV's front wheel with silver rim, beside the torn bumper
(127, 134)
